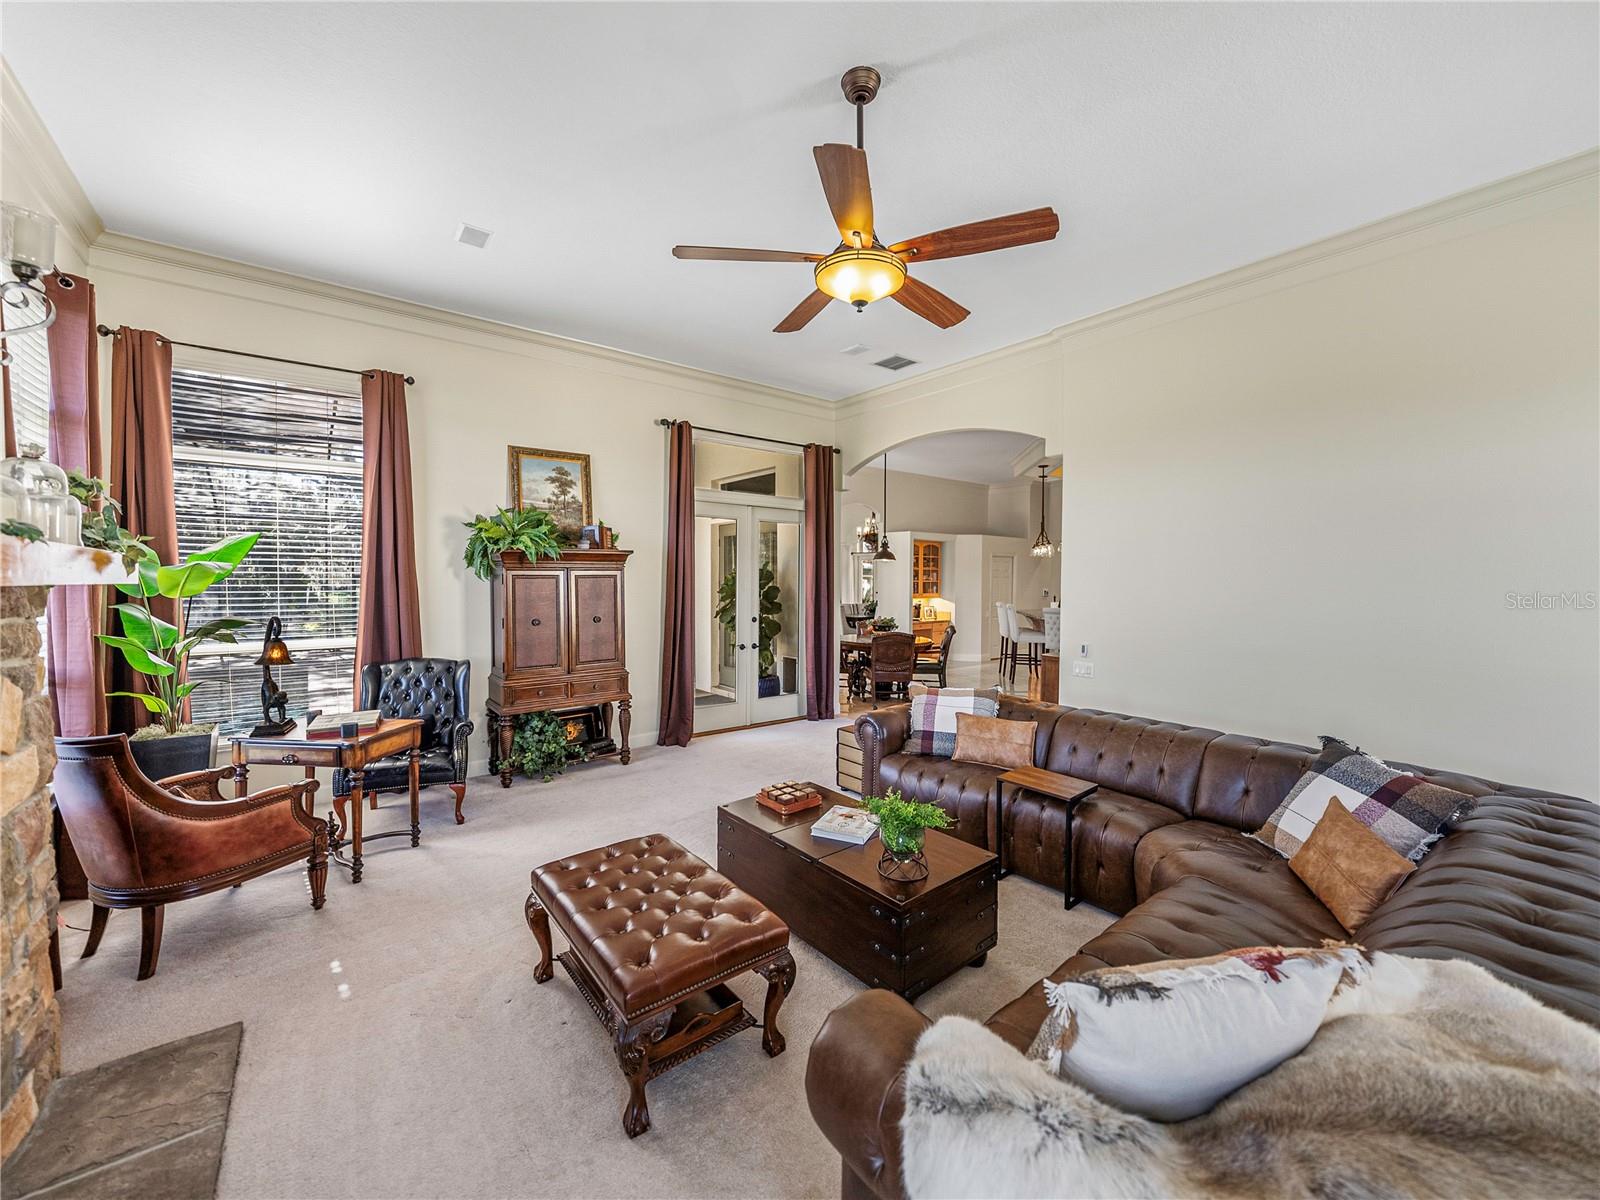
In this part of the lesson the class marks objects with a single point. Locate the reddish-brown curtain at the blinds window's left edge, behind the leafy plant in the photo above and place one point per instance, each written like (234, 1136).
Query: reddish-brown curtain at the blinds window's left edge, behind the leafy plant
(142, 479)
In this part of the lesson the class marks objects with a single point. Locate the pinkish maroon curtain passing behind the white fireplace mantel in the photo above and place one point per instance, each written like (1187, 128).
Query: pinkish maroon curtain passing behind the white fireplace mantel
(73, 655)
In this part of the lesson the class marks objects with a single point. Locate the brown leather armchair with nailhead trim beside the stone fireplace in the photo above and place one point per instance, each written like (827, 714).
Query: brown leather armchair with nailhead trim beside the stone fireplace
(148, 844)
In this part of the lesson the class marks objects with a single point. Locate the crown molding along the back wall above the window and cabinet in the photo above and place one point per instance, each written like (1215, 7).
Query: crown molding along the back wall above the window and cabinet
(228, 278)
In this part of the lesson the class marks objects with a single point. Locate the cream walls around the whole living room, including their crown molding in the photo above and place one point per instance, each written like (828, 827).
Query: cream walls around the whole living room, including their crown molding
(1297, 495)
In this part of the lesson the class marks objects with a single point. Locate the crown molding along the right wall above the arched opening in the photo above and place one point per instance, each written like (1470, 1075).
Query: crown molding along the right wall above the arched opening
(1505, 201)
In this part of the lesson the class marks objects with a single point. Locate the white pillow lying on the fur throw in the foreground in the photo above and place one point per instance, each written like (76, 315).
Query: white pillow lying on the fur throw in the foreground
(1169, 1041)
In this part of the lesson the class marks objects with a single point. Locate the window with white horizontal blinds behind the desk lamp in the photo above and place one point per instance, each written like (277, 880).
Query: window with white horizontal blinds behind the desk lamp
(286, 462)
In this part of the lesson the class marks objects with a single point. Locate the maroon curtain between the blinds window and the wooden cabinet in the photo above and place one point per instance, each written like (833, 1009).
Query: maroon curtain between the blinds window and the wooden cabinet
(390, 617)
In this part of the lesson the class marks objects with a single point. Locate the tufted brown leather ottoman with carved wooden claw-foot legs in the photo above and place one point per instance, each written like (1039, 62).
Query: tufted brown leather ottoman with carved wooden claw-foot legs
(655, 934)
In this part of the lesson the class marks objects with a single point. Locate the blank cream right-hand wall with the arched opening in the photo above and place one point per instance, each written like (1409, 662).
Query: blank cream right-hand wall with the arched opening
(1298, 495)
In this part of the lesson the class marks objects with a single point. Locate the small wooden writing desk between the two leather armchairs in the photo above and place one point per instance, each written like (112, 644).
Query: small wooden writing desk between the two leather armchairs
(298, 750)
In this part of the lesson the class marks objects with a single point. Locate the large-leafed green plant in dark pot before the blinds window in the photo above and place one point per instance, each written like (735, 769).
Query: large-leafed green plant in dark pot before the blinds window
(159, 650)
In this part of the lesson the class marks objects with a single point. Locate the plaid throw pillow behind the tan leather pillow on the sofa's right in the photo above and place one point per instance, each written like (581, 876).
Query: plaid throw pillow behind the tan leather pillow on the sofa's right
(1409, 814)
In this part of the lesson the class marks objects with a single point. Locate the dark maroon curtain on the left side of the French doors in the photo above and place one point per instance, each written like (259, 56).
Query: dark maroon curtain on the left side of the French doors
(678, 620)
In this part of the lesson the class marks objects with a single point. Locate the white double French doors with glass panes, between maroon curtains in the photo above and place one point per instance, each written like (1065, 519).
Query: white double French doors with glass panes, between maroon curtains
(750, 662)
